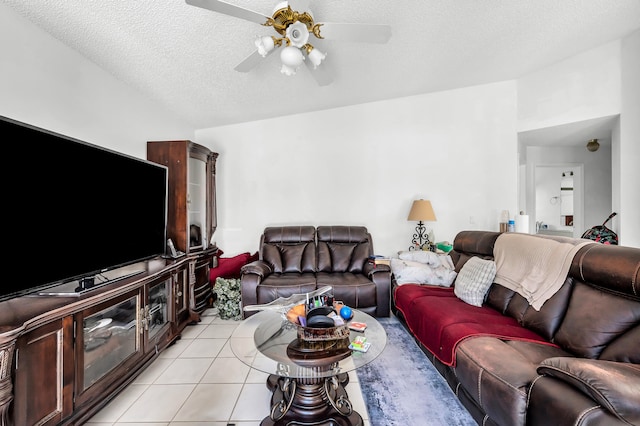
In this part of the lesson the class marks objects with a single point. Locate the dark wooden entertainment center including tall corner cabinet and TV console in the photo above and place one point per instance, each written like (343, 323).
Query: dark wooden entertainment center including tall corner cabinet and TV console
(65, 354)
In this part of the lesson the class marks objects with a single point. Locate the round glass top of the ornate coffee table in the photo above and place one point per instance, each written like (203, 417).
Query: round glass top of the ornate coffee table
(268, 342)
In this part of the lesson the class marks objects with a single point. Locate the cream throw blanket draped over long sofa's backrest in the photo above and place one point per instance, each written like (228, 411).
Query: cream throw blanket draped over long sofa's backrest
(534, 266)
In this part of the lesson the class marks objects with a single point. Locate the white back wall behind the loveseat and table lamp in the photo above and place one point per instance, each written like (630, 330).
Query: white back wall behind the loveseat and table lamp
(365, 165)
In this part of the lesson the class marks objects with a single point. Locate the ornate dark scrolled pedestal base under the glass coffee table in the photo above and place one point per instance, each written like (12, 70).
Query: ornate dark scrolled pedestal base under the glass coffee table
(310, 402)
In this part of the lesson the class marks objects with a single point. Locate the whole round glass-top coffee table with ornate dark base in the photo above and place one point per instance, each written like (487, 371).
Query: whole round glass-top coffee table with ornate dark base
(307, 379)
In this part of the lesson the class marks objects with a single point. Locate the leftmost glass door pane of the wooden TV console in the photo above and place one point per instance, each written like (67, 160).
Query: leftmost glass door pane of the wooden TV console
(110, 337)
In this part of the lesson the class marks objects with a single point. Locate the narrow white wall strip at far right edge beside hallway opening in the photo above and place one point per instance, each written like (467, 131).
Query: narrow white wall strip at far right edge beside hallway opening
(627, 198)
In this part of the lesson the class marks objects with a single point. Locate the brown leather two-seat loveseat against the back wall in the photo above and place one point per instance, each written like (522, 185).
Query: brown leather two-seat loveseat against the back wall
(301, 259)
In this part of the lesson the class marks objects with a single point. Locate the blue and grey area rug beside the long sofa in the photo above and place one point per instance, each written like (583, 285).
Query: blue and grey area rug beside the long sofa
(401, 387)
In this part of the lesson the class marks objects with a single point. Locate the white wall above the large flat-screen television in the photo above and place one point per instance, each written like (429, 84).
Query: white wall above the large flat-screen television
(46, 84)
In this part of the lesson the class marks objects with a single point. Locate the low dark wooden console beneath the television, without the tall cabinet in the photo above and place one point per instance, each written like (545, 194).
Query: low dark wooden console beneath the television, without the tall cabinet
(62, 358)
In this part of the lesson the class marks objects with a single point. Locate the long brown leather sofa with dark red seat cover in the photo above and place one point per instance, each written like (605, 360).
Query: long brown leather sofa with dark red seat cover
(577, 362)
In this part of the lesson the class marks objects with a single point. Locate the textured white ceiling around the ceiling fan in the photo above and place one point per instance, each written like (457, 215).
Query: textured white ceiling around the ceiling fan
(183, 56)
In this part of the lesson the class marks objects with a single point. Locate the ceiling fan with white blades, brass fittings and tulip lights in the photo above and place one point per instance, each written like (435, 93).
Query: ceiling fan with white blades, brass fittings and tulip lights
(294, 23)
